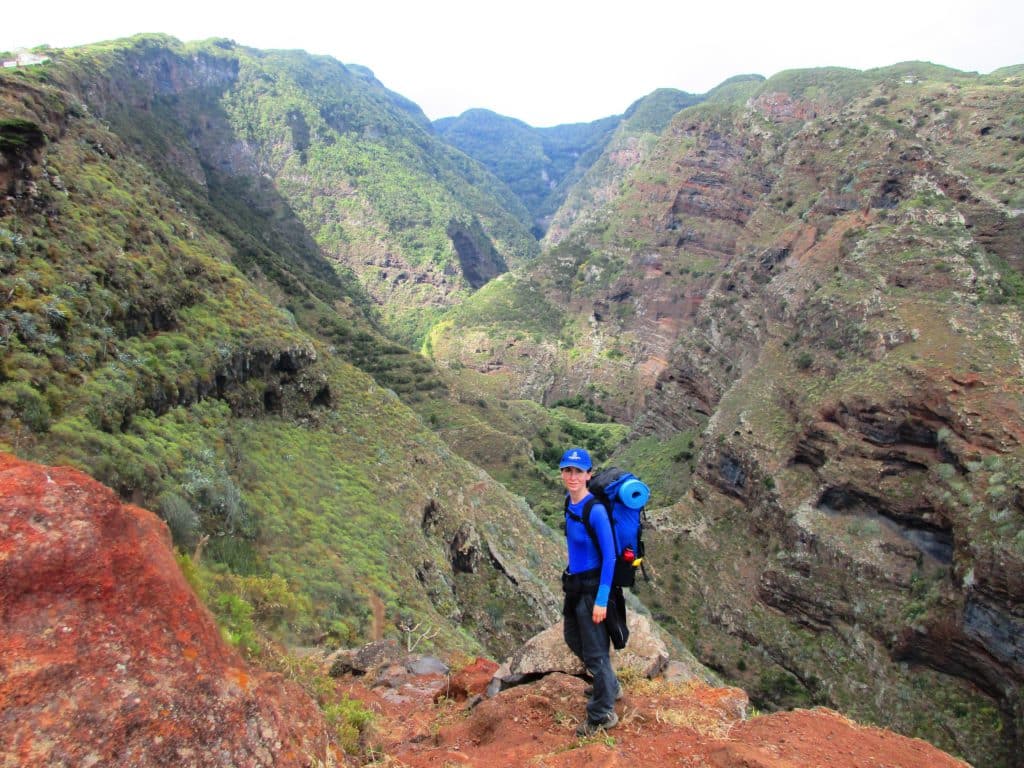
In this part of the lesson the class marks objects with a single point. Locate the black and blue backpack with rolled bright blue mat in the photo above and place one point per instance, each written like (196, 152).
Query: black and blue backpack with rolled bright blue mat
(624, 496)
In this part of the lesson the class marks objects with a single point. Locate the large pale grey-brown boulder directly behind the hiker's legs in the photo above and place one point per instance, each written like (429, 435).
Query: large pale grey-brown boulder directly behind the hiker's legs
(646, 654)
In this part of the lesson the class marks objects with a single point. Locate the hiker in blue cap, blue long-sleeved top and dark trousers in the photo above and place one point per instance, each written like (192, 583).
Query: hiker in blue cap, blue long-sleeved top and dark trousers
(587, 583)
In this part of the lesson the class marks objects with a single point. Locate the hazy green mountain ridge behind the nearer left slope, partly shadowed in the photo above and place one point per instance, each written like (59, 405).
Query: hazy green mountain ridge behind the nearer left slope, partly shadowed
(330, 156)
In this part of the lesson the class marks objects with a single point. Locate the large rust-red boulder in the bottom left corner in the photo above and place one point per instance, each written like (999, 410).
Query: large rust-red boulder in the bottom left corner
(107, 656)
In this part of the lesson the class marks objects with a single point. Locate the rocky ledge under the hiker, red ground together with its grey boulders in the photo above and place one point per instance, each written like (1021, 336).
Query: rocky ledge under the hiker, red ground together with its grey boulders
(430, 713)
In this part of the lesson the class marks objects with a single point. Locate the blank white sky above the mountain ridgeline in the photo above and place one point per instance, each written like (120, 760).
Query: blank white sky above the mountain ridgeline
(552, 62)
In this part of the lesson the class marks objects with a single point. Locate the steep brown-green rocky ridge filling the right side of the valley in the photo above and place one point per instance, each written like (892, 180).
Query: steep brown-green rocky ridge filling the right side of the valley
(807, 295)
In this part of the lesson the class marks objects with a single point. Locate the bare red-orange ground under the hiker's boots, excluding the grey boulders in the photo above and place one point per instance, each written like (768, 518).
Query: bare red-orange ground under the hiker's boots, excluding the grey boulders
(661, 723)
